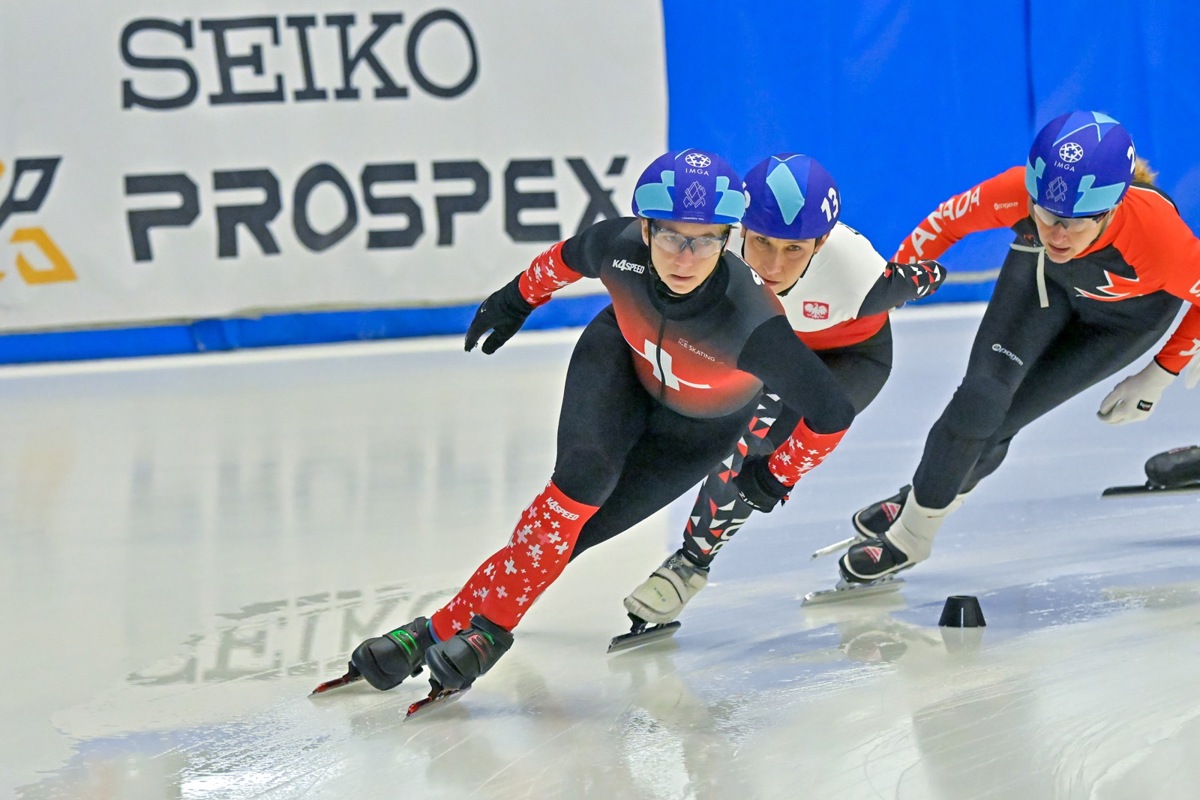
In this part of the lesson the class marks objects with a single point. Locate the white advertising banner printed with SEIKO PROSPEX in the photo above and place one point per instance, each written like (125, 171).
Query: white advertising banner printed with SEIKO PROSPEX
(187, 160)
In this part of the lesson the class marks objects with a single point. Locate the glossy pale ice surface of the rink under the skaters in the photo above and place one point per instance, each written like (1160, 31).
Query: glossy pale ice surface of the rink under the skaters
(191, 545)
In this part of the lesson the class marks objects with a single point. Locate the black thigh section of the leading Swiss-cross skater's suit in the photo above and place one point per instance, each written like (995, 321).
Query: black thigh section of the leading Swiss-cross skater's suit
(622, 450)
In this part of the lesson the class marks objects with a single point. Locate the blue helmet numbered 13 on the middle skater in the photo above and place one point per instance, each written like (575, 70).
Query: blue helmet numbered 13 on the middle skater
(791, 196)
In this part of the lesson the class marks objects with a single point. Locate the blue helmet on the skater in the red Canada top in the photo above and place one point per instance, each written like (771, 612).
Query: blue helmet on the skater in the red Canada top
(1081, 165)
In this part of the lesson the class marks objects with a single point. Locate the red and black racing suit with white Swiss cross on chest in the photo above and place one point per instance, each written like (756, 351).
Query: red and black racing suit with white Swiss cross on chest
(658, 390)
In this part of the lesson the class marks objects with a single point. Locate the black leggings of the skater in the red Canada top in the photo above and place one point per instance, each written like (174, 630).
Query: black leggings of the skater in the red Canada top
(1028, 360)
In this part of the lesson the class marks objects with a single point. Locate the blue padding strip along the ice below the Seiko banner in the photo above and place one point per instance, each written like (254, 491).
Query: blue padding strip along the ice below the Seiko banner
(317, 328)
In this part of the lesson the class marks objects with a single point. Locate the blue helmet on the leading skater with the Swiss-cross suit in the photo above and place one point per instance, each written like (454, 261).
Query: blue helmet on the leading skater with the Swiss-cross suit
(691, 187)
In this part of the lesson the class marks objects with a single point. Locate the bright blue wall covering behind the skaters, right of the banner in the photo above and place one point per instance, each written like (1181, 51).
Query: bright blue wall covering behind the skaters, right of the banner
(910, 103)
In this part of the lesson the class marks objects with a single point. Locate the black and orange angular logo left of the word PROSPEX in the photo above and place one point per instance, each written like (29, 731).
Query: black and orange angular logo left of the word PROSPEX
(28, 188)
